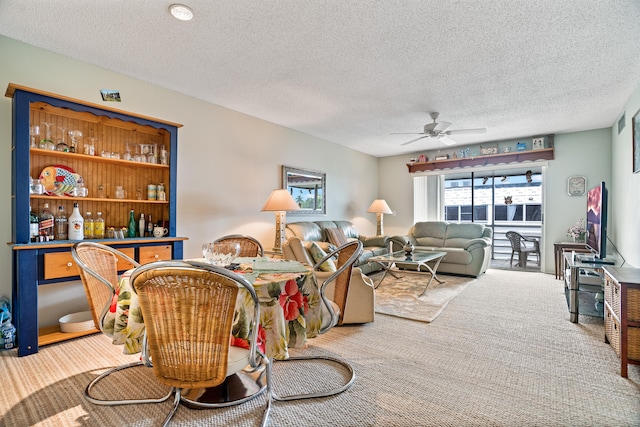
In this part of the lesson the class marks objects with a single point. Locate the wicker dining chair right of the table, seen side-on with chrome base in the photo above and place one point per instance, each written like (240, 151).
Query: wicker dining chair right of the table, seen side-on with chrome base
(347, 255)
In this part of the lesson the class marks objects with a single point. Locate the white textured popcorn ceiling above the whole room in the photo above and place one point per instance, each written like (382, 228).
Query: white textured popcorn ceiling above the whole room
(353, 72)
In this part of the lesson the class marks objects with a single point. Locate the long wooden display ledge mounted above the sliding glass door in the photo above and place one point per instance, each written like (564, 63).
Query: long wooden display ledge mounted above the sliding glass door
(488, 159)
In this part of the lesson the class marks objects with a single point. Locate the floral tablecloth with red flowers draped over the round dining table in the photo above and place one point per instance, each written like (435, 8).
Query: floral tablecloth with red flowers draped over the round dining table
(290, 309)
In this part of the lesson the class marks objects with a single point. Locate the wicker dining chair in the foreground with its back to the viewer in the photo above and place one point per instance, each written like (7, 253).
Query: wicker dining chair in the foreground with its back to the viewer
(188, 310)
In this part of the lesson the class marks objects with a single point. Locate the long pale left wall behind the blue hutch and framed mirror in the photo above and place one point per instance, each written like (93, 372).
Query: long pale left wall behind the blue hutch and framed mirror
(228, 162)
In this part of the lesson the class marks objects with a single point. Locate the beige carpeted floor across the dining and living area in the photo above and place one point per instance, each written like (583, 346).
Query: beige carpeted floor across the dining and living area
(502, 353)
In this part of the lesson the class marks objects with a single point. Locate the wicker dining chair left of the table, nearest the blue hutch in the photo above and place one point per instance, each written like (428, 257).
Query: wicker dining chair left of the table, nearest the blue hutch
(98, 267)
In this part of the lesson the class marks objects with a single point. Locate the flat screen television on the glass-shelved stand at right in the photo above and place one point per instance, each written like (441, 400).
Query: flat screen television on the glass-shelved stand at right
(597, 222)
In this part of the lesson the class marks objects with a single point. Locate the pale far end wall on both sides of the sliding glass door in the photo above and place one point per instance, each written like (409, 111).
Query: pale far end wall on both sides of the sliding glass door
(580, 153)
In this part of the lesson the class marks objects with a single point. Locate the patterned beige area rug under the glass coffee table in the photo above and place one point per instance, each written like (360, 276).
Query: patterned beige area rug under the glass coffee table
(399, 297)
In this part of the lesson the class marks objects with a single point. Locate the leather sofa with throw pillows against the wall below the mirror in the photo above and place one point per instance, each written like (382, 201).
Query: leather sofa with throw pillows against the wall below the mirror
(315, 231)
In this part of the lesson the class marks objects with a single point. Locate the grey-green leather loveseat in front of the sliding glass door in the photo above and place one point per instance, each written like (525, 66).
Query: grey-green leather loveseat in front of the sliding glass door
(467, 245)
